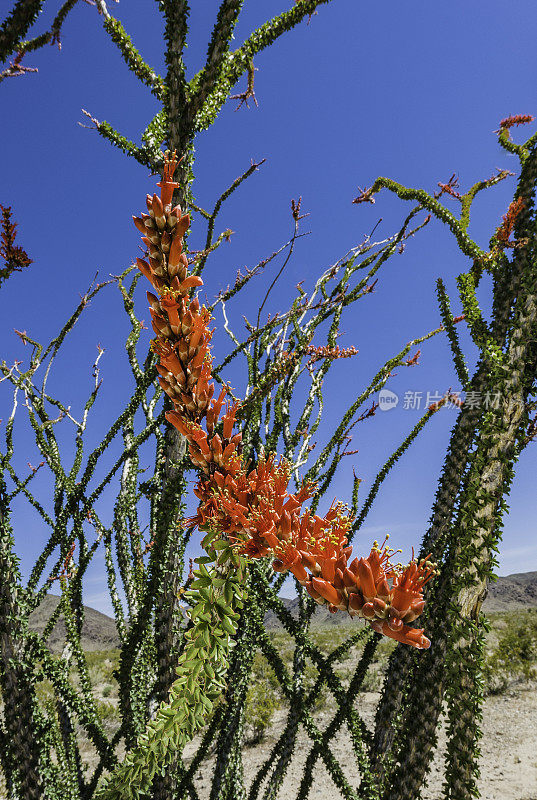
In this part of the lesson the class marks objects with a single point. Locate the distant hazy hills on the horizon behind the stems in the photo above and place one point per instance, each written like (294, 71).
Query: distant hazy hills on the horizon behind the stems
(99, 631)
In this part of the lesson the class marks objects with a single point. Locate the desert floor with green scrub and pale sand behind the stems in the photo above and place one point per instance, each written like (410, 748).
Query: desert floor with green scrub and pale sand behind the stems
(509, 744)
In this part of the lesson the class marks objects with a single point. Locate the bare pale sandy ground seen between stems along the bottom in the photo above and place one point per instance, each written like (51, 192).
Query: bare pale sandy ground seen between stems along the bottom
(508, 760)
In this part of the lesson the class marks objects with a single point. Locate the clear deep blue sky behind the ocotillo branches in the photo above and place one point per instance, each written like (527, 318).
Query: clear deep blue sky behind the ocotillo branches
(412, 91)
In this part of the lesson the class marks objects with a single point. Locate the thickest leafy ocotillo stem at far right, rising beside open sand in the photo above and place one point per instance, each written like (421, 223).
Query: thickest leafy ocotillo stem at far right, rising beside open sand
(481, 517)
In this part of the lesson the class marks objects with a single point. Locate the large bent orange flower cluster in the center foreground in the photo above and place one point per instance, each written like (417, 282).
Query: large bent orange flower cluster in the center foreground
(254, 508)
